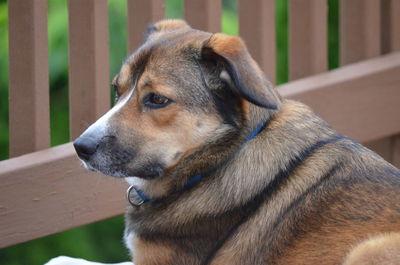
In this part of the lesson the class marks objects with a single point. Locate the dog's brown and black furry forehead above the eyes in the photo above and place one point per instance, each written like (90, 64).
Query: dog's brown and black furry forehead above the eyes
(168, 59)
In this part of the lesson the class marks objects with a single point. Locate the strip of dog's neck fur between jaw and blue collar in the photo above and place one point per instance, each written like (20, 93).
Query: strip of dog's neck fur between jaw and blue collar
(179, 177)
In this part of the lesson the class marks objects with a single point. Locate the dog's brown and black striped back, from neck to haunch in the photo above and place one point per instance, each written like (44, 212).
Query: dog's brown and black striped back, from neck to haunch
(330, 195)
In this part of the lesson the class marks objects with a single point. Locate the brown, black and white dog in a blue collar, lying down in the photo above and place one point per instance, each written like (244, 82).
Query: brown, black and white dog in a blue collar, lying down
(226, 171)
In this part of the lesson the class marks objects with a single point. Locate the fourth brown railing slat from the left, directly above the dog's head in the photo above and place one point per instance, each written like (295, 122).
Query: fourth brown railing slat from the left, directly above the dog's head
(204, 15)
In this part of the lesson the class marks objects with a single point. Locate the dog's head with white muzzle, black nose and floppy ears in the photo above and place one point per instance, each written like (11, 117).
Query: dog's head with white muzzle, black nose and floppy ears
(183, 95)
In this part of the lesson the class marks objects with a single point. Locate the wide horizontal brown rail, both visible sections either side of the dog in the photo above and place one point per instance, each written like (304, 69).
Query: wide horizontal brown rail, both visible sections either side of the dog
(48, 191)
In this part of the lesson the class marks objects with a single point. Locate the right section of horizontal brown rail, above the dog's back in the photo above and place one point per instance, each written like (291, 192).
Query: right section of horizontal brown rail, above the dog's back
(359, 100)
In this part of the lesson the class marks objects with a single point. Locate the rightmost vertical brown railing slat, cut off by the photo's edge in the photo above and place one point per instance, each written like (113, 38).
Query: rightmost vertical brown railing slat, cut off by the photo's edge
(391, 42)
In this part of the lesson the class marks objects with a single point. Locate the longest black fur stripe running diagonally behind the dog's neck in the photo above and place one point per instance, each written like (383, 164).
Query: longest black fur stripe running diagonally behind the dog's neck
(252, 207)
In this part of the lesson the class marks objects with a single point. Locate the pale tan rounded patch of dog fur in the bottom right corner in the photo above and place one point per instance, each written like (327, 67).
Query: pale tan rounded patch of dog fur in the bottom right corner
(378, 250)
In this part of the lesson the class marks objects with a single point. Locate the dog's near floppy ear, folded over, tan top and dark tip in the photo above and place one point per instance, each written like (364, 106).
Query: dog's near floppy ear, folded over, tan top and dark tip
(245, 77)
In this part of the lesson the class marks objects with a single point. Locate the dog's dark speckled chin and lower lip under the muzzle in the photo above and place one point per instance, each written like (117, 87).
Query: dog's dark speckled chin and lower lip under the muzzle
(148, 172)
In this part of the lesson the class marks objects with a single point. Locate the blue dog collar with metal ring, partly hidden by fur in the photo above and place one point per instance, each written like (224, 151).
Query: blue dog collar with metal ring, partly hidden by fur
(138, 198)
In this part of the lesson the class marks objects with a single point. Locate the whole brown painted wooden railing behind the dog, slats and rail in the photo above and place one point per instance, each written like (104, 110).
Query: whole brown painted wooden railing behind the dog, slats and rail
(44, 190)
